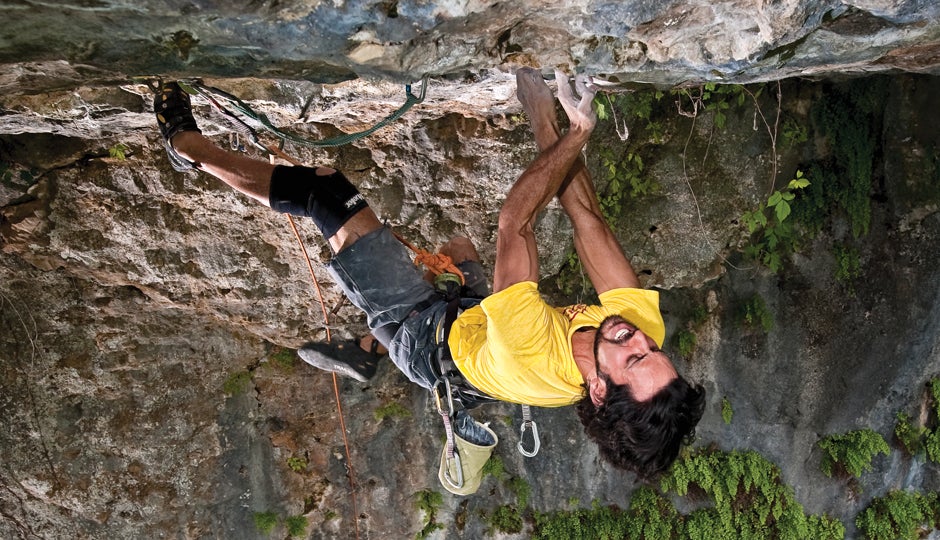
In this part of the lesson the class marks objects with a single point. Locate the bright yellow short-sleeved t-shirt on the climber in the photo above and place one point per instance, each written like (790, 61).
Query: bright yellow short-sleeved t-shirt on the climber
(517, 348)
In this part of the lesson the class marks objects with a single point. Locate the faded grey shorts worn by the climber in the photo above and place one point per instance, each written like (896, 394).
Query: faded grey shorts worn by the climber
(377, 275)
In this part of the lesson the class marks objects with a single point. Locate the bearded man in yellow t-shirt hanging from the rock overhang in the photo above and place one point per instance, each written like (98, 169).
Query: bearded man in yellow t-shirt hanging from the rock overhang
(511, 345)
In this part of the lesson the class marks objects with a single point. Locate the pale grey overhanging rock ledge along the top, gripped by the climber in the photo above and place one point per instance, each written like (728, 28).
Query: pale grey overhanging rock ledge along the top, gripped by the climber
(636, 40)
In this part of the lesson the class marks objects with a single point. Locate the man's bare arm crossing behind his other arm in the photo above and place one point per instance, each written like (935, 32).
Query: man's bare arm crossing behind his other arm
(599, 250)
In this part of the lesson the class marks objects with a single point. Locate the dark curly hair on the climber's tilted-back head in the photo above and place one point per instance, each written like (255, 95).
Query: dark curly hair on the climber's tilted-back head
(643, 437)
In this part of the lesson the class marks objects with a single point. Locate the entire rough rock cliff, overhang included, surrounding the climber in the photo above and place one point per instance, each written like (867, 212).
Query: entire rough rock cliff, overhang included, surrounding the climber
(148, 317)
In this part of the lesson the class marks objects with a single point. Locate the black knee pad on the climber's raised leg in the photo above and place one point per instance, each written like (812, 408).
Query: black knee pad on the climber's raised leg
(328, 200)
